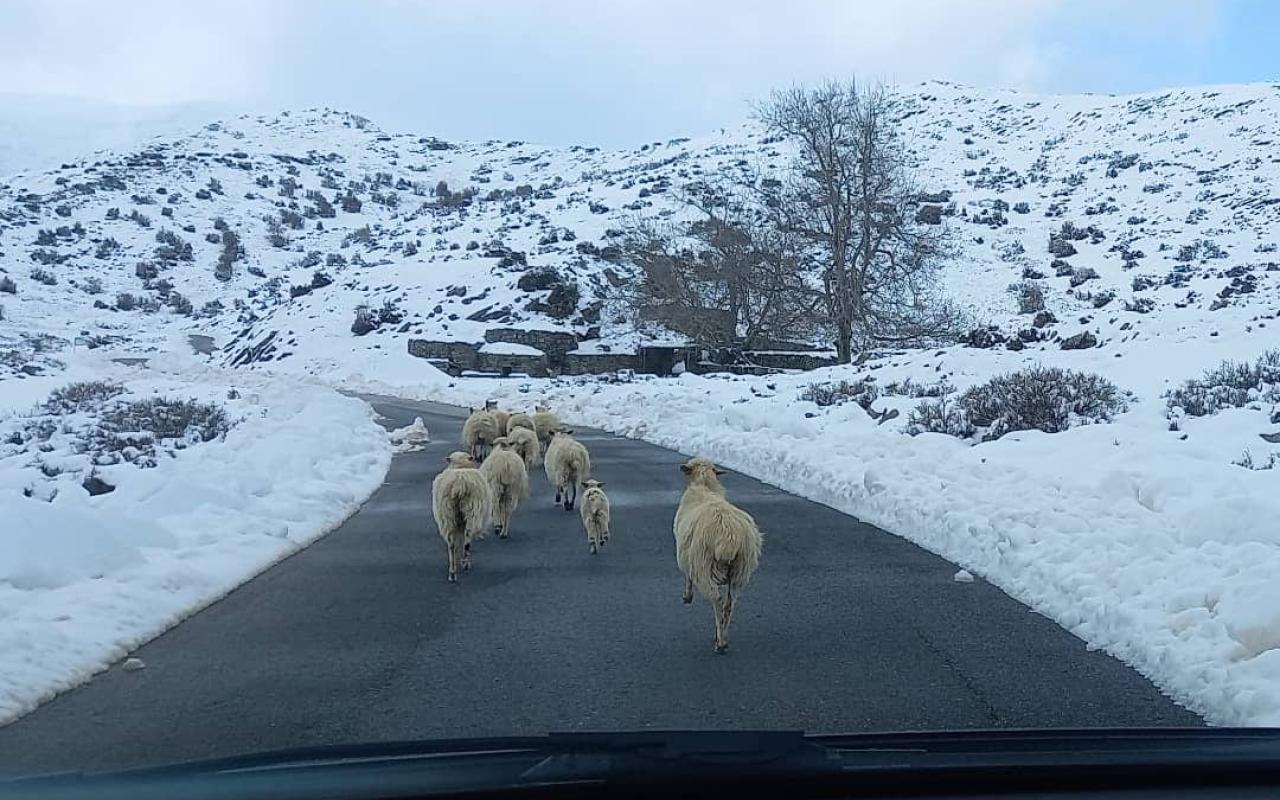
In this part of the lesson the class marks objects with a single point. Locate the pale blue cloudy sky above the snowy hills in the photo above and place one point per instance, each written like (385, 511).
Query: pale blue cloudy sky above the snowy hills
(606, 72)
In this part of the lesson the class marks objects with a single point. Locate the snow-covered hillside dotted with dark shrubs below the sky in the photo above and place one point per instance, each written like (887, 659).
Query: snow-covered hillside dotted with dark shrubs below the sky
(1141, 220)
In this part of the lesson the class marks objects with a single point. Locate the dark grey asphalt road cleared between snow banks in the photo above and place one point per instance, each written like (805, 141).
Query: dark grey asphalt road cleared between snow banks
(359, 638)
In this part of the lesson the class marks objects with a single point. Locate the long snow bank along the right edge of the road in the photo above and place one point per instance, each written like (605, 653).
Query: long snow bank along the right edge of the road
(1144, 542)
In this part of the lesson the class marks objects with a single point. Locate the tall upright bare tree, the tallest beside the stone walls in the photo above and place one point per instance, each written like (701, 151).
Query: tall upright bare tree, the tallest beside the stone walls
(852, 198)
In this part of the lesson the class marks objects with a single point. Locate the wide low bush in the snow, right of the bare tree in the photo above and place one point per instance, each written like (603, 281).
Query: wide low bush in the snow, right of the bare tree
(1037, 399)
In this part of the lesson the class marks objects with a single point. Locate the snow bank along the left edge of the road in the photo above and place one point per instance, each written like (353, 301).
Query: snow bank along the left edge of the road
(86, 579)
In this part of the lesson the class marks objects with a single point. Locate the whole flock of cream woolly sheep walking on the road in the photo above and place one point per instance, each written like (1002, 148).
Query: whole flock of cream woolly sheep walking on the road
(481, 488)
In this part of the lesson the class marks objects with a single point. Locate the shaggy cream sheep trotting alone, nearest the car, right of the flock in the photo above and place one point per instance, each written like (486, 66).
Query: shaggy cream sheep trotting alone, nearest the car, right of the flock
(717, 543)
